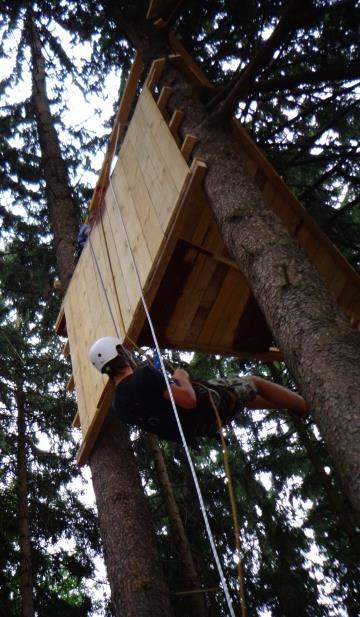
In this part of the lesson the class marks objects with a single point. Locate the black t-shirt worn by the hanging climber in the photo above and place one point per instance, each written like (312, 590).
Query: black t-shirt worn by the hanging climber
(139, 401)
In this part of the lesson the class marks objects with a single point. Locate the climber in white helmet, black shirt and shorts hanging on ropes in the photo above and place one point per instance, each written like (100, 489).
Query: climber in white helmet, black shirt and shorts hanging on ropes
(141, 397)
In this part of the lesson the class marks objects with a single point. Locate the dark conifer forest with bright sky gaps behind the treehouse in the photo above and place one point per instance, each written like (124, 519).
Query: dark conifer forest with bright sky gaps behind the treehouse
(299, 100)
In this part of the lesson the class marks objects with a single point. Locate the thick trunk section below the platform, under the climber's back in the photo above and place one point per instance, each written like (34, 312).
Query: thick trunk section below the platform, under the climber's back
(135, 575)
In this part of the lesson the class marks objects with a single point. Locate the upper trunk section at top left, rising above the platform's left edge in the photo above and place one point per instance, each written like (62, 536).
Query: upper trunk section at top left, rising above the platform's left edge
(63, 210)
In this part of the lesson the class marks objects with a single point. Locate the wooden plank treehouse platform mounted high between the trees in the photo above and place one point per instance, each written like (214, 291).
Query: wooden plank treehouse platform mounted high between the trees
(154, 236)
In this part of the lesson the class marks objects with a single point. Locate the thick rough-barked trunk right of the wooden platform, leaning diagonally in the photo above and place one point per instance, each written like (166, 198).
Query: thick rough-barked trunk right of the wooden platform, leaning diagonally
(319, 346)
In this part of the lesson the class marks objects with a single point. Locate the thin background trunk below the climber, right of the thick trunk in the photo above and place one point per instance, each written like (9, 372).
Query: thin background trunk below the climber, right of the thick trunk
(188, 570)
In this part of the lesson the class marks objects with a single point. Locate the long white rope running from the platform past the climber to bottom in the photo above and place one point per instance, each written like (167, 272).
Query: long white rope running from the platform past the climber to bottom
(183, 439)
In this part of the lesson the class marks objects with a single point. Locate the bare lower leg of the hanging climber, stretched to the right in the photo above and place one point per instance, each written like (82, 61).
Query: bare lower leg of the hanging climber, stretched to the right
(273, 396)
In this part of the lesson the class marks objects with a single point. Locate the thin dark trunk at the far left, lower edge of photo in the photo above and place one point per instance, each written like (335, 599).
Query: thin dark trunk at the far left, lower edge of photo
(26, 584)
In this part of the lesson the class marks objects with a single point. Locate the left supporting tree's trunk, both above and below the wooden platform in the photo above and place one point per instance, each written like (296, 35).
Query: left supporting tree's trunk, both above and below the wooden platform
(137, 586)
